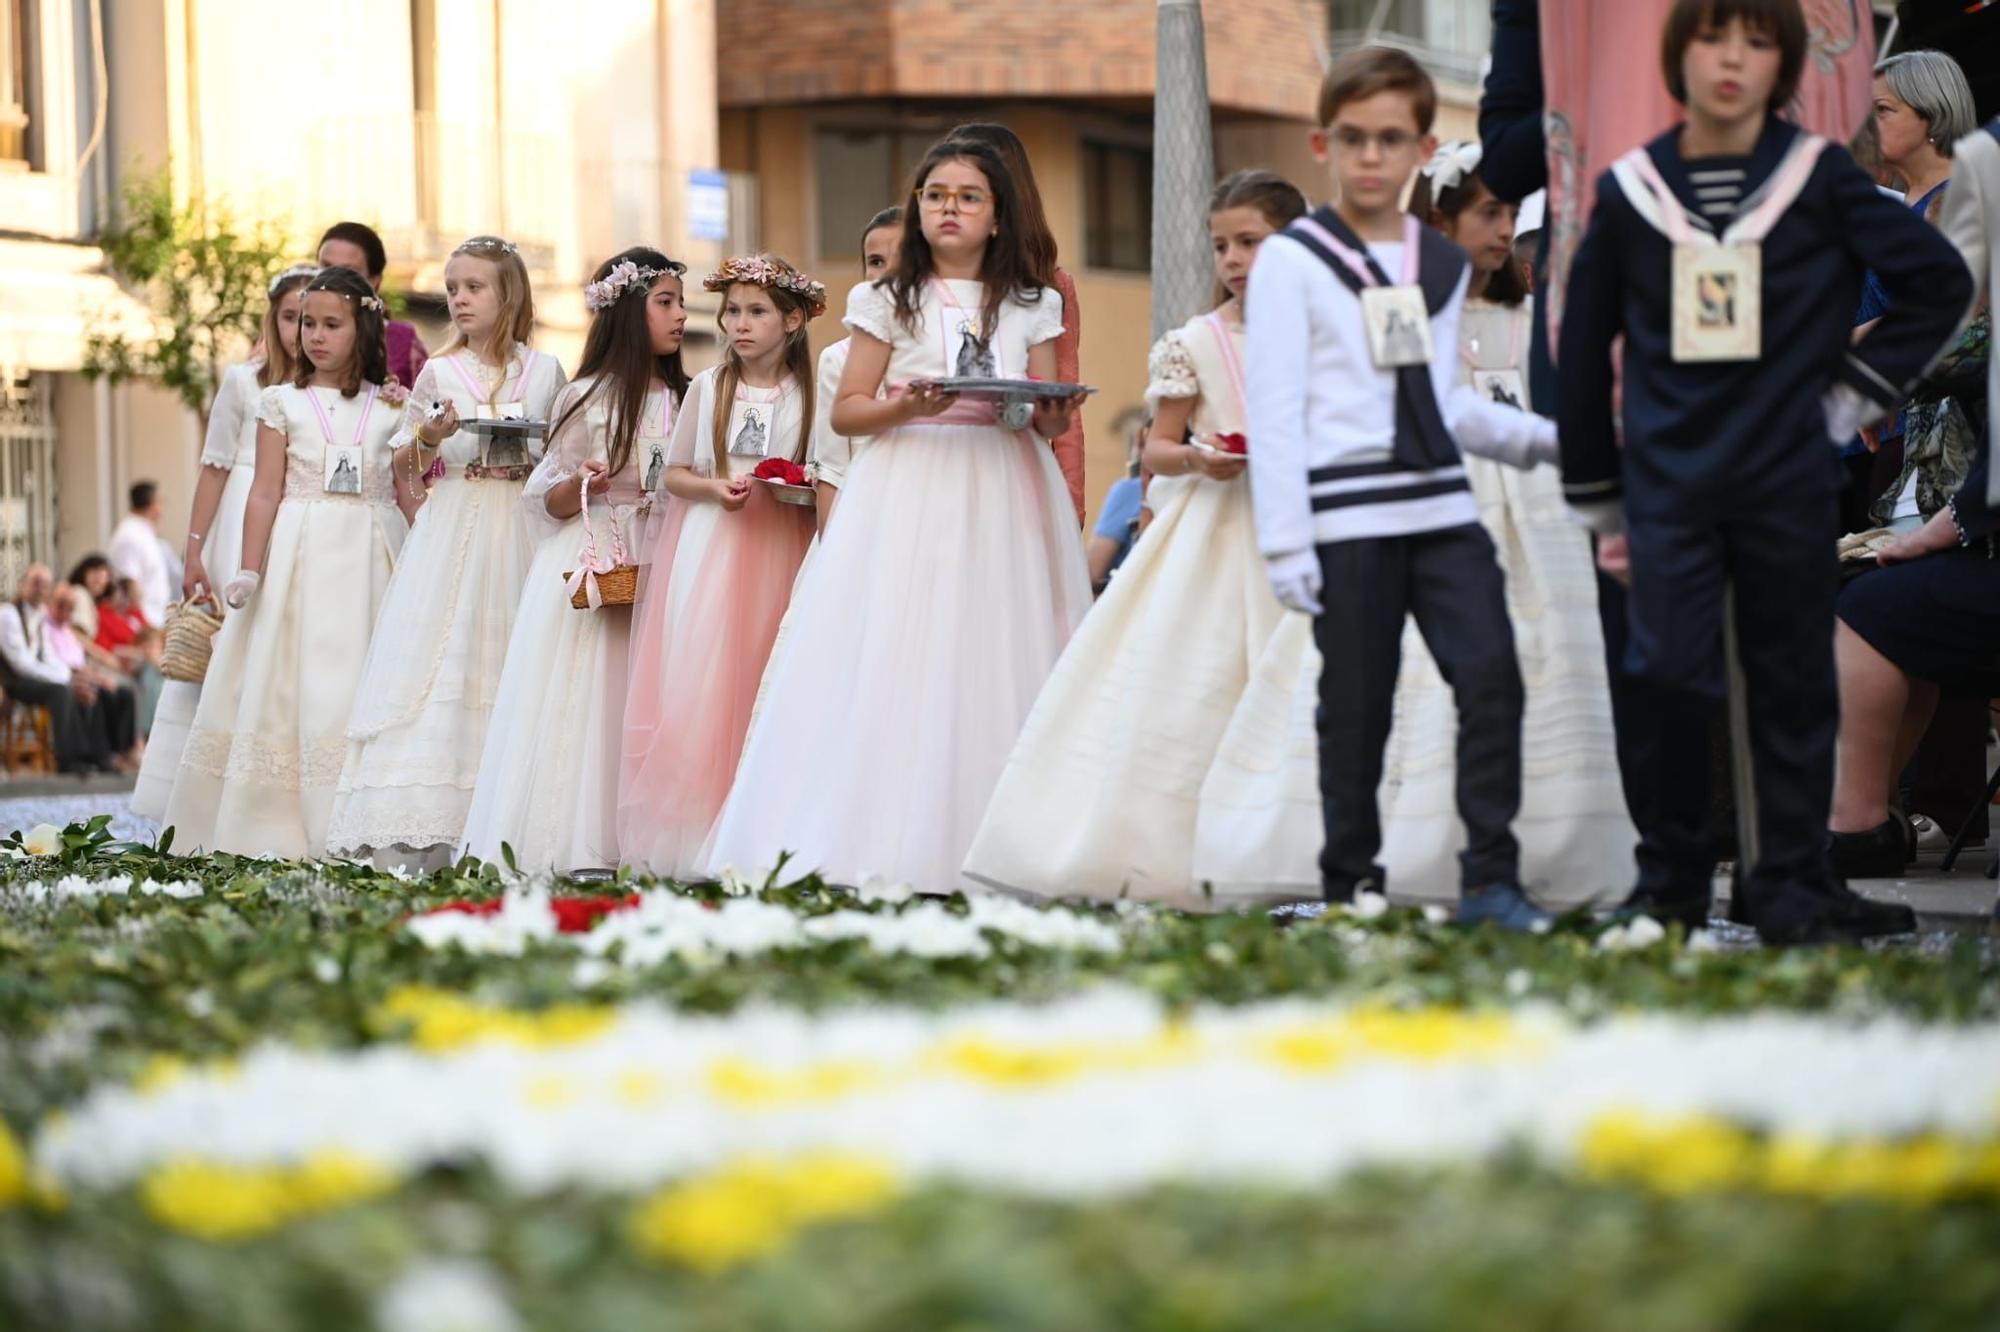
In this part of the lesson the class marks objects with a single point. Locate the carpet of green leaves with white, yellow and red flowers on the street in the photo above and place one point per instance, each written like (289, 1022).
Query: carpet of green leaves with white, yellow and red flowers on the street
(255, 1095)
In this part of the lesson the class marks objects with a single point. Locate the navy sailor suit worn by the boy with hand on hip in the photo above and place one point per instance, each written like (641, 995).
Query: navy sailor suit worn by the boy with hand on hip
(1729, 473)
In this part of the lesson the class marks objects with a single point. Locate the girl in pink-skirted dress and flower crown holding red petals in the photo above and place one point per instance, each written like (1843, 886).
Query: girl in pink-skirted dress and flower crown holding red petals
(717, 595)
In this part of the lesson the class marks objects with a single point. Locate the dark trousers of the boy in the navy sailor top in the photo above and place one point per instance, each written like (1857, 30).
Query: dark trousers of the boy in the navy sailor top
(1781, 561)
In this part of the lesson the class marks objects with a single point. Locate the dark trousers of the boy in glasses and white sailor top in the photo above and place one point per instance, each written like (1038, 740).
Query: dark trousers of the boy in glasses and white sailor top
(1455, 589)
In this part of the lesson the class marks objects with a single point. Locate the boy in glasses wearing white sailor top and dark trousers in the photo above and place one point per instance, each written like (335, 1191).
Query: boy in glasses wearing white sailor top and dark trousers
(1359, 489)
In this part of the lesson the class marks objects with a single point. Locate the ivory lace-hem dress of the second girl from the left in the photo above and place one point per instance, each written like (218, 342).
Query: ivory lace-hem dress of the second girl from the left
(269, 739)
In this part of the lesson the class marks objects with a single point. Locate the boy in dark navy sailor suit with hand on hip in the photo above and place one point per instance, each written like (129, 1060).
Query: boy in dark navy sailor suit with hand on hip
(1733, 411)
